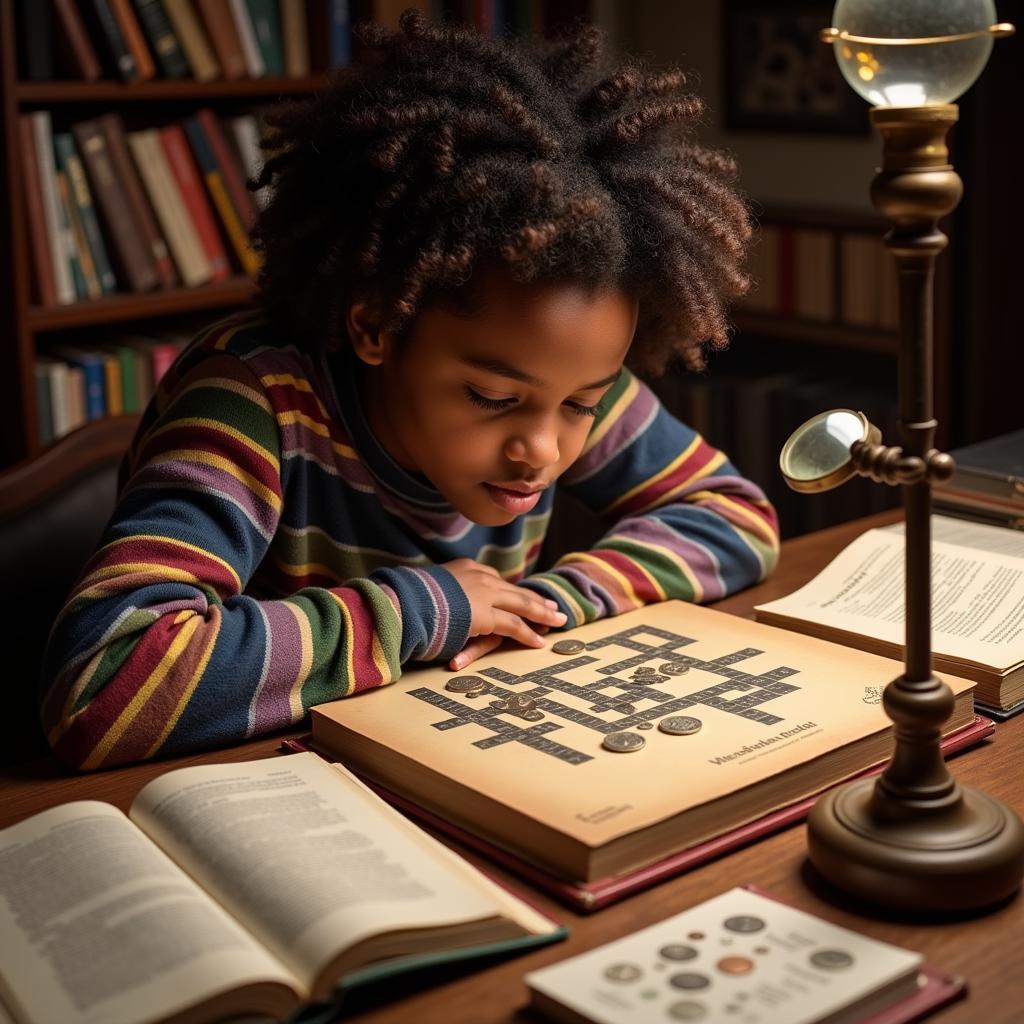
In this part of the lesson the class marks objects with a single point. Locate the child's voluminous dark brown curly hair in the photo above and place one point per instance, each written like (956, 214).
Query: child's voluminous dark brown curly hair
(442, 151)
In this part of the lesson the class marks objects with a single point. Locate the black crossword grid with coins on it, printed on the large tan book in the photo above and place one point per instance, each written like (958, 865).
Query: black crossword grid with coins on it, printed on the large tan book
(642, 678)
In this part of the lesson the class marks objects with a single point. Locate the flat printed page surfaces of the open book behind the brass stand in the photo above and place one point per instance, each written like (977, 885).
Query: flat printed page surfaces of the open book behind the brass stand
(977, 599)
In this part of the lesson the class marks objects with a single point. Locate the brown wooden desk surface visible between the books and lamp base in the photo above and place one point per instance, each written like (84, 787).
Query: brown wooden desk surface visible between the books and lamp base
(989, 951)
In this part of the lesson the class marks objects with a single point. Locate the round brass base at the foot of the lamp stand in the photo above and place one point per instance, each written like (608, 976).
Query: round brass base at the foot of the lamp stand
(967, 856)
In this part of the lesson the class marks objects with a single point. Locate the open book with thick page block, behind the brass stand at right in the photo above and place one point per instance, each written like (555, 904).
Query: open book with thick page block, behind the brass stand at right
(977, 605)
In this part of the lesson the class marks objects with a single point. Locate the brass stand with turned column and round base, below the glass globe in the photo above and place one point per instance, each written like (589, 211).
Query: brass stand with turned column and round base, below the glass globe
(915, 839)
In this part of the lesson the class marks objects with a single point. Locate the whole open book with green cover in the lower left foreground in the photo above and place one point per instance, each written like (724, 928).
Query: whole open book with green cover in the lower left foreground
(235, 890)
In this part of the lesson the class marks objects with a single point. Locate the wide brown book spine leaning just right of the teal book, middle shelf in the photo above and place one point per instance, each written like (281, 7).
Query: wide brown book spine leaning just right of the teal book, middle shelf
(131, 250)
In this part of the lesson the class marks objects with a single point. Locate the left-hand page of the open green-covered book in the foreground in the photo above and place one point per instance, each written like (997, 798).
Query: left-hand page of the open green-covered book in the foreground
(101, 927)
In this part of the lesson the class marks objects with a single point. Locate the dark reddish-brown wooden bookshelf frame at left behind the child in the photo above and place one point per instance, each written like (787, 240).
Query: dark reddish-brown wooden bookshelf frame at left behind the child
(37, 329)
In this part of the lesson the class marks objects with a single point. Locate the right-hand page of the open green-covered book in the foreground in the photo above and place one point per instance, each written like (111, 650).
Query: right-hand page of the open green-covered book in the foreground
(310, 865)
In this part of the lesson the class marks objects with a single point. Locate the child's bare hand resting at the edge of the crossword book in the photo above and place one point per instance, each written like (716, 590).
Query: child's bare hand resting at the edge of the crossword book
(499, 610)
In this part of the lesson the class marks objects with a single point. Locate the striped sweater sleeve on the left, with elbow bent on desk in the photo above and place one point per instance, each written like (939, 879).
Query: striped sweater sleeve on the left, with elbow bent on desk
(159, 651)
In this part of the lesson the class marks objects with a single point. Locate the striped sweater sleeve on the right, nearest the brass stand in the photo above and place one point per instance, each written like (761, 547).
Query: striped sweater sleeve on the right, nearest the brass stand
(684, 524)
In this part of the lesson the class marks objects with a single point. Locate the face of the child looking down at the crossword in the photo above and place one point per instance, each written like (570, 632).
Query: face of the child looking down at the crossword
(492, 408)
